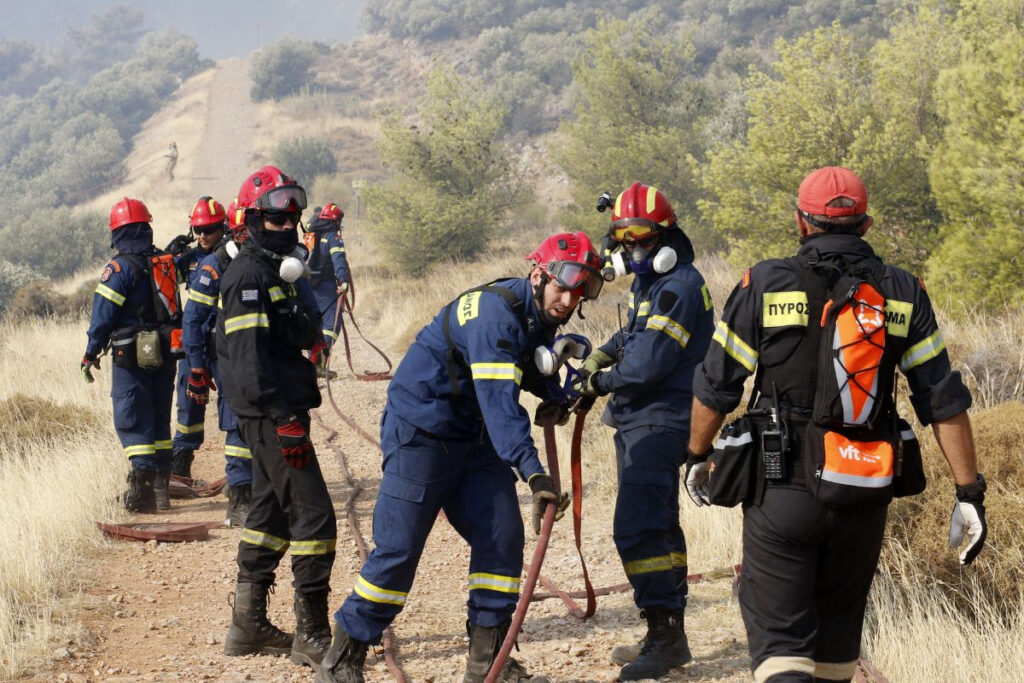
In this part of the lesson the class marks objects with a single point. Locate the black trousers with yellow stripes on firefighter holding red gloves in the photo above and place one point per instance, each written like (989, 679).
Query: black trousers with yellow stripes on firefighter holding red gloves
(290, 508)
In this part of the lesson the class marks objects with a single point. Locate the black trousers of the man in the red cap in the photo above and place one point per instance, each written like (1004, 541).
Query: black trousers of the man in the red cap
(803, 589)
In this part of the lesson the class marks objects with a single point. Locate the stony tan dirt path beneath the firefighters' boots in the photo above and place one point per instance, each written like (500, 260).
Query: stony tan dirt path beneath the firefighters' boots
(160, 612)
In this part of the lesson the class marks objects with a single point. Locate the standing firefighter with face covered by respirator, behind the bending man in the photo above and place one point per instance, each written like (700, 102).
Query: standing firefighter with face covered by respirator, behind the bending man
(648, 367)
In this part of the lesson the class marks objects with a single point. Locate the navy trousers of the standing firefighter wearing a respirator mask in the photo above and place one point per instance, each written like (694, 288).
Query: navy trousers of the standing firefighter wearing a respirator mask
(647, 531)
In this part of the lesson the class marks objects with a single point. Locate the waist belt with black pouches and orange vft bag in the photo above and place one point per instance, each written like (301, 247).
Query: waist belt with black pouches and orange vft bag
(843, 468)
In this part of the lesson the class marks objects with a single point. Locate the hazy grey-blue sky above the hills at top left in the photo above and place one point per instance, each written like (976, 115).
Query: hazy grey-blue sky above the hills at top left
(223, 28)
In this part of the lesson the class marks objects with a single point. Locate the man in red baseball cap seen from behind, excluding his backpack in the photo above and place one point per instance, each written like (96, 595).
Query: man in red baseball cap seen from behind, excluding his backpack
(807, 567)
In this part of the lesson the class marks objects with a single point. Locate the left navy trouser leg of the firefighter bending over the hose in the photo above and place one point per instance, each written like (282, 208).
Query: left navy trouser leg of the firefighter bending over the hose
(404, 515)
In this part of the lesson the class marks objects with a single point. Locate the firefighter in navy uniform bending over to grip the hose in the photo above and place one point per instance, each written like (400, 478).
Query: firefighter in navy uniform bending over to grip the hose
(451, 432)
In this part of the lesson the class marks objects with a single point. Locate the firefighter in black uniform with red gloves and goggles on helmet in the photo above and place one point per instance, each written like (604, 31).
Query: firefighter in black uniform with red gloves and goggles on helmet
(263, 330)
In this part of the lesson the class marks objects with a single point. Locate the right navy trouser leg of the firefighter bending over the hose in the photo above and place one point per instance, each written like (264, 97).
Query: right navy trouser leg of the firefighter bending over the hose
(485, 510)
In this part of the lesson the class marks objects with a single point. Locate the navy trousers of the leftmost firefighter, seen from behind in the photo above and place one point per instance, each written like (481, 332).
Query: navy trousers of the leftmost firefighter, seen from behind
(142, 402)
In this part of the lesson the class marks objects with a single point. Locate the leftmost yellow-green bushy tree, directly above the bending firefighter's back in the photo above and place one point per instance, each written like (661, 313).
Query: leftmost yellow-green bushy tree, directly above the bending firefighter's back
(453, 183)
